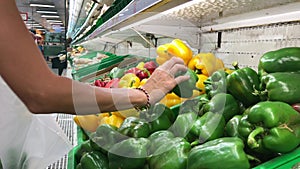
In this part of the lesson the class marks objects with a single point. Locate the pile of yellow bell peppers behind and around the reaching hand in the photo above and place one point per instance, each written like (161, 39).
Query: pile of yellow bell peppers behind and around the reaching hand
(204, 64)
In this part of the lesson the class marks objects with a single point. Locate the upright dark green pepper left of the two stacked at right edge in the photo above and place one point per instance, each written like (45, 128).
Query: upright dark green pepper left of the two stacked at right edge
(242, 84)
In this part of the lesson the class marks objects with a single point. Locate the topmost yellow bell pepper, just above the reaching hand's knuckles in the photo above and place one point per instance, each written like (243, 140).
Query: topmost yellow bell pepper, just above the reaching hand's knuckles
(176, 48)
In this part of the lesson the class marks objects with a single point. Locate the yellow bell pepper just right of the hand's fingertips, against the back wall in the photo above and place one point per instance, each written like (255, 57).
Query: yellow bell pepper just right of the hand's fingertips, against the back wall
(205, 63)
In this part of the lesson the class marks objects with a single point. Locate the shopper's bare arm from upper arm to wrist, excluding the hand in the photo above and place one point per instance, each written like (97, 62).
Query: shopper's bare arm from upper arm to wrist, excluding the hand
(24, 69)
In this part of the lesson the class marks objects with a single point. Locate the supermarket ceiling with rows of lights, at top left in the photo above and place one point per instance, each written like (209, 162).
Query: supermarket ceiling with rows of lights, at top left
(45, 18)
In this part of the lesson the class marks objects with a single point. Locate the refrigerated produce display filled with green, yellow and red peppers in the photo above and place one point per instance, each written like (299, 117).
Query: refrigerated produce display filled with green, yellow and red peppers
(240, 107)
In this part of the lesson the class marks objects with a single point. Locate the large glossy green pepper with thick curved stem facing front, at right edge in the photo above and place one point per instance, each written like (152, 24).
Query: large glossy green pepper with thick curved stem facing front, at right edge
(272, 128)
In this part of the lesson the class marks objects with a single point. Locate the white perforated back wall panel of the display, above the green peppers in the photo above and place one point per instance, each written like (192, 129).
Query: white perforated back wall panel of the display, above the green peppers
(247, 45)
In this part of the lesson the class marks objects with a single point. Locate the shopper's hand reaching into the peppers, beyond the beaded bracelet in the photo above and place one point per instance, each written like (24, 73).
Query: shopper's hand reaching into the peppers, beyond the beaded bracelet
(163, 79)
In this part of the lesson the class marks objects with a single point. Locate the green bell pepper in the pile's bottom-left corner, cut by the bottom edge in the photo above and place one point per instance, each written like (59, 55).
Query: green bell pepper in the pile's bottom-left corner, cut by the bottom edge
(94, 160)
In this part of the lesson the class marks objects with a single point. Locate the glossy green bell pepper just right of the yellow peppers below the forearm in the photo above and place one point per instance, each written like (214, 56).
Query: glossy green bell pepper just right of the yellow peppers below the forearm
(135, 127)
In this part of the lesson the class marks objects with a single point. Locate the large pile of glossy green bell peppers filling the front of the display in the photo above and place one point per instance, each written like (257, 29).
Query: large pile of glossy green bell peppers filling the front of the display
(244, 119)
